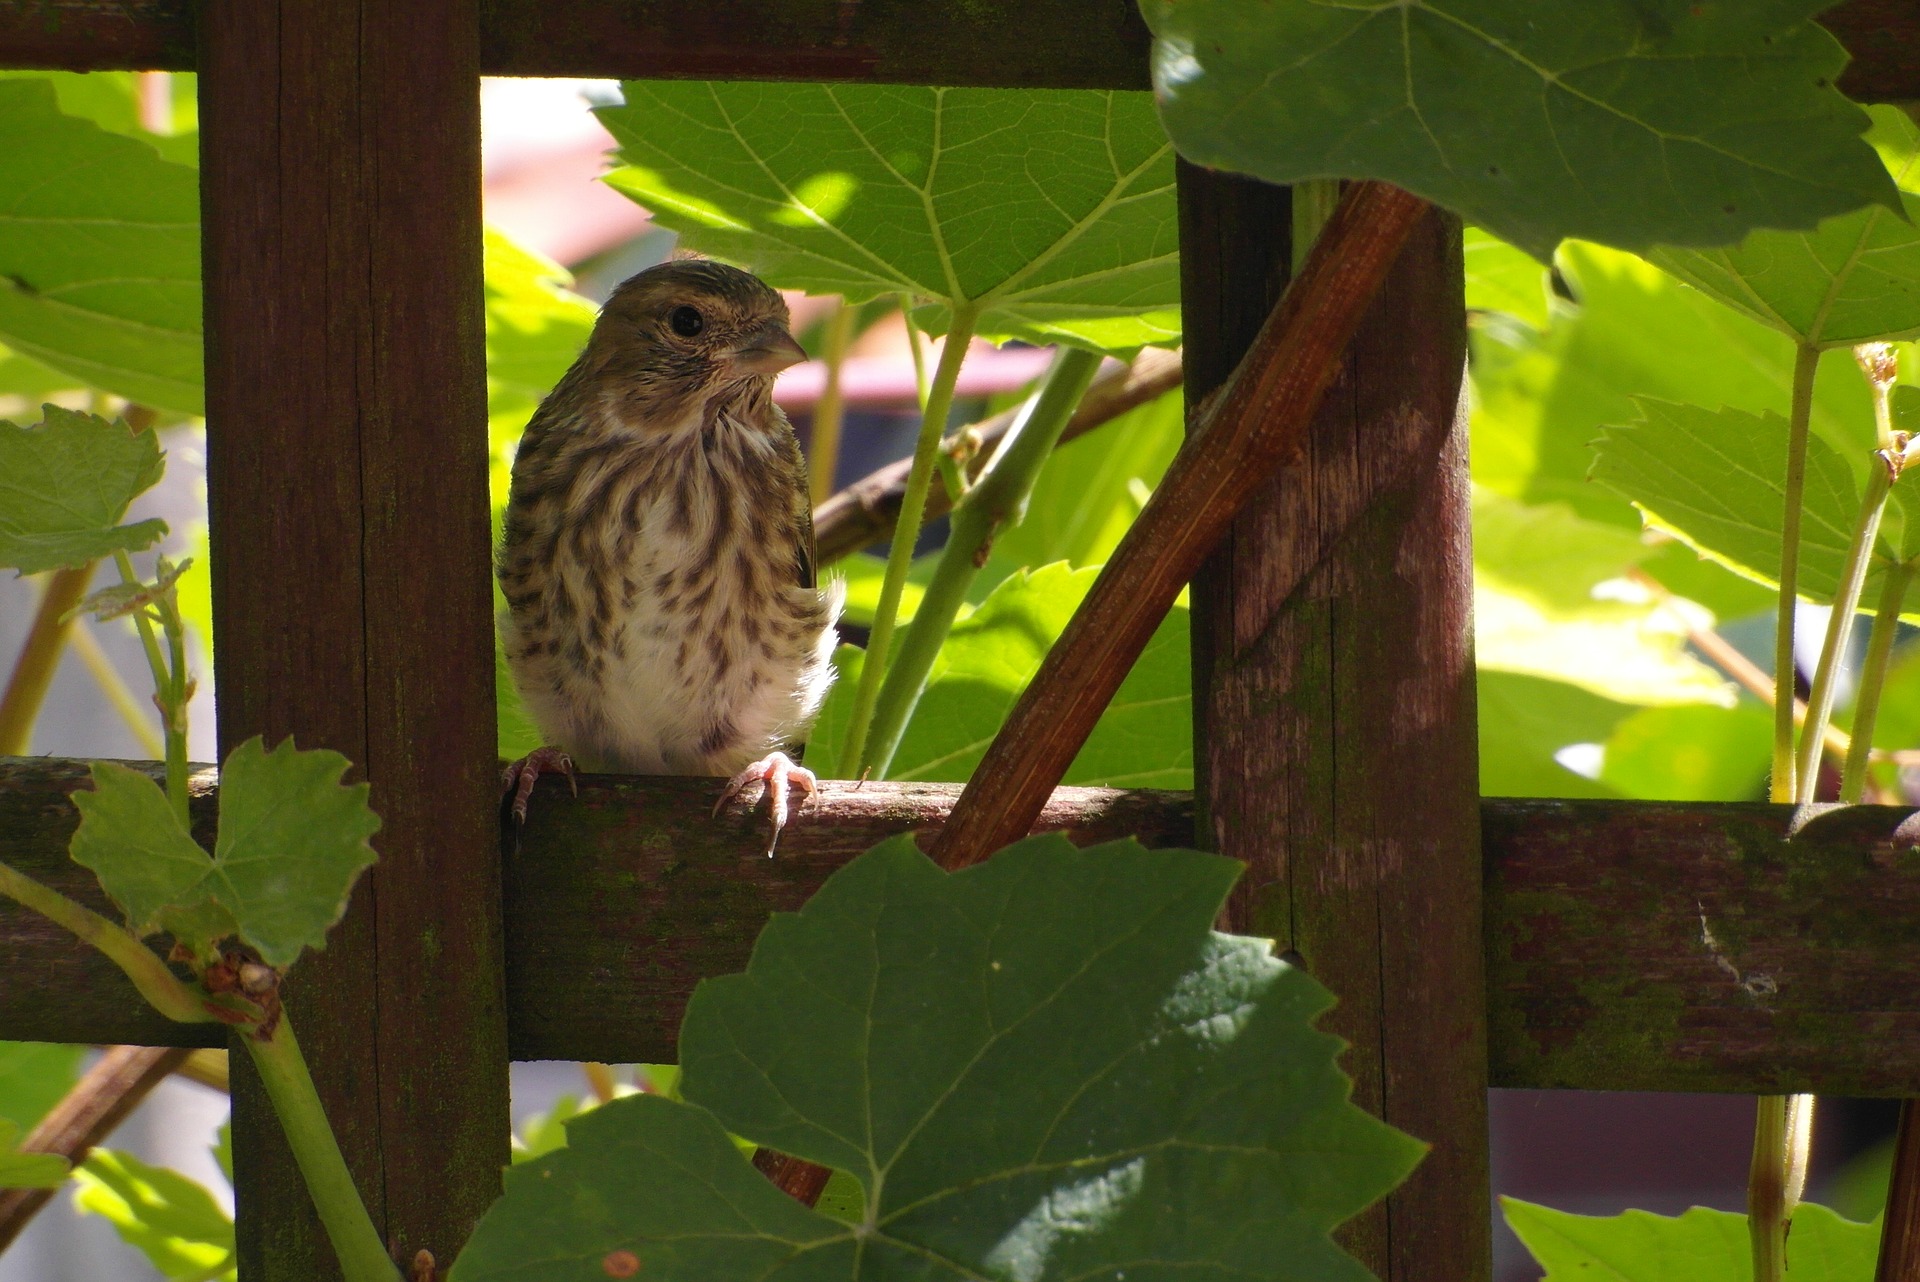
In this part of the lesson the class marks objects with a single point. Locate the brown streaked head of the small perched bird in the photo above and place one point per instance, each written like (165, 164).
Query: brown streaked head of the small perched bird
(686, 335)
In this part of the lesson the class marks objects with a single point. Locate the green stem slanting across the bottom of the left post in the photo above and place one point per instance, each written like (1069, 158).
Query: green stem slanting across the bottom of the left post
(283, 1072)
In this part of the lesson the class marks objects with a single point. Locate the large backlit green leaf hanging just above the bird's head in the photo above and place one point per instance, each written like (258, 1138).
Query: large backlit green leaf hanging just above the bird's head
(1047, 210)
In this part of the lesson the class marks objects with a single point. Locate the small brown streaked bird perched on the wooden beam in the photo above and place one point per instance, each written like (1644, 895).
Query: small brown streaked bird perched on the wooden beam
(663, 613)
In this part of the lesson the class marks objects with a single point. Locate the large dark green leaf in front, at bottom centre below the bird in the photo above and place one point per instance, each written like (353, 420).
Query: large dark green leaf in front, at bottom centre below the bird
(1113, 1089)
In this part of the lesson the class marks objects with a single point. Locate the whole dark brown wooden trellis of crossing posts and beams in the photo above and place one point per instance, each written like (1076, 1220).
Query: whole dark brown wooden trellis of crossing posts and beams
(341, 202)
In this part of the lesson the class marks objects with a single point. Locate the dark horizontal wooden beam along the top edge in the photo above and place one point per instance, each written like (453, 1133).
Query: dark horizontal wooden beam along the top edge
(1045, 43)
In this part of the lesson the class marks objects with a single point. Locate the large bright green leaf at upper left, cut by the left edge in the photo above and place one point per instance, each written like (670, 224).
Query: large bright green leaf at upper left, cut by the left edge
(99, 254)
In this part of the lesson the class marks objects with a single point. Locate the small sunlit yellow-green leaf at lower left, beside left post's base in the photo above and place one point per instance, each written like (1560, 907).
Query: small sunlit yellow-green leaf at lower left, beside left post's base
(162, 1214)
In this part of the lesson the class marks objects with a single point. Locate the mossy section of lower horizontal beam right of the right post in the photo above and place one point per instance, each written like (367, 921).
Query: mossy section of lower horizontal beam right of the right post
(1666, 947)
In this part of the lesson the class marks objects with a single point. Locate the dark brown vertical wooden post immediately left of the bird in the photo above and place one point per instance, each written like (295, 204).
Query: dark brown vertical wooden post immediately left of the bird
(347, 481)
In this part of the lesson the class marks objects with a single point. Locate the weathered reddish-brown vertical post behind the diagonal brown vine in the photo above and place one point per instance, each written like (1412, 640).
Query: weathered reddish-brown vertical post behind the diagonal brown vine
(1337, 724)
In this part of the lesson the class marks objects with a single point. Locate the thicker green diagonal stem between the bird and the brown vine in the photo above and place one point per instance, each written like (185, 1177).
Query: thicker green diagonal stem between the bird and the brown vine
(994, 502)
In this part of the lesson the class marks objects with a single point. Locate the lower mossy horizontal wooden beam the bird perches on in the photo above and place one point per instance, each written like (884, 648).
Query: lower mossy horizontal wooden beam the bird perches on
(1631, 945)
